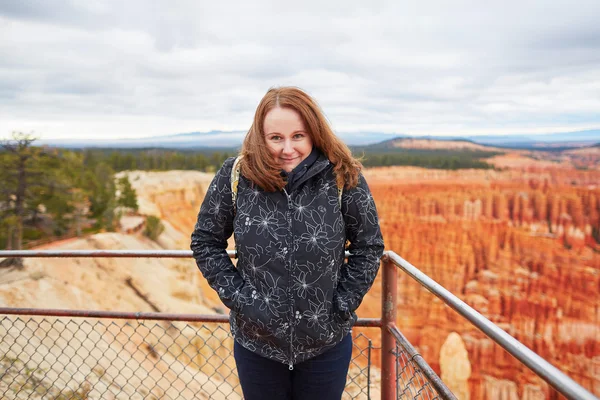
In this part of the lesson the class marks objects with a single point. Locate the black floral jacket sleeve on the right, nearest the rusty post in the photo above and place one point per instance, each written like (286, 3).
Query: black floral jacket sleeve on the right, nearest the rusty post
(366, 248)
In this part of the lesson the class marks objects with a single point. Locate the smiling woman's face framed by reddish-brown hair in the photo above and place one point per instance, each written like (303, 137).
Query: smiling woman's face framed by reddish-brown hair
(287, 139)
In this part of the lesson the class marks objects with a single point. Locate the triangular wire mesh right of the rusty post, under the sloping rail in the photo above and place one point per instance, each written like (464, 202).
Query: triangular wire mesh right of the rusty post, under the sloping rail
(411, 383)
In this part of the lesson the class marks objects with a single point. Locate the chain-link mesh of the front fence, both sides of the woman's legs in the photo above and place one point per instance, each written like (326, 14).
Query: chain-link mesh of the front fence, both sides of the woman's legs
(75, 358)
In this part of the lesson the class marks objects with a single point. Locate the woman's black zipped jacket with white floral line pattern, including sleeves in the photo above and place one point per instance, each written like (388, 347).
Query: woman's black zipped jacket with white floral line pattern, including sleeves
(292, 295)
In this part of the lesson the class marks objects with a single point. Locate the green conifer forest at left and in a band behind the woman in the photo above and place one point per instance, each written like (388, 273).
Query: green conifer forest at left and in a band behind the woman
(50, 193)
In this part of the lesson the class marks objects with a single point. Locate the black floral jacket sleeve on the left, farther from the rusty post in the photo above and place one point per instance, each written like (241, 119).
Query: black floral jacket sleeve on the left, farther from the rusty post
(209, 239)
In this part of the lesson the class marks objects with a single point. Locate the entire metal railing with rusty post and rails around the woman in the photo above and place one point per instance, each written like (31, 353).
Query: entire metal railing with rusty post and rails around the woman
(404, 372)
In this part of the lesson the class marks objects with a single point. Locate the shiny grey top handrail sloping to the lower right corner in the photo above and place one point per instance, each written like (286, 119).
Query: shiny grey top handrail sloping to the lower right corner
(556, 378)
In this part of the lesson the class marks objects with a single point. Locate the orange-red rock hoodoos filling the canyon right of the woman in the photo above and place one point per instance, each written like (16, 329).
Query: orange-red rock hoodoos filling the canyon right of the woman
(519, 248)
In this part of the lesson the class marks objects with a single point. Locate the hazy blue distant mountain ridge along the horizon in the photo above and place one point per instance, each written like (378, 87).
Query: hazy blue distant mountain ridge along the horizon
(233, 139)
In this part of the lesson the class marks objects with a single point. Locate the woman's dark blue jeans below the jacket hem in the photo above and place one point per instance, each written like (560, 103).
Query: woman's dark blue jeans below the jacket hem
(320, 378)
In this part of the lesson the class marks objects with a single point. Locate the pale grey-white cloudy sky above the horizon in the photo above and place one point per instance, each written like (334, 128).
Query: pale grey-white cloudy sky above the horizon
(135, 68)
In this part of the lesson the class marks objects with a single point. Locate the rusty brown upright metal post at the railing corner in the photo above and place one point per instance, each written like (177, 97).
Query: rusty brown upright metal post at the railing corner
(388, 318)
